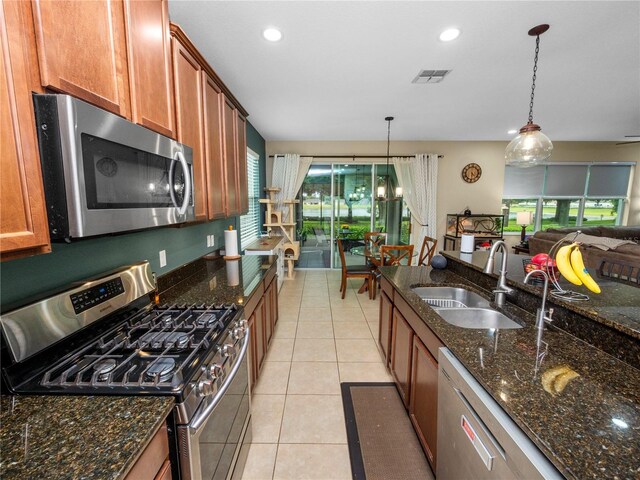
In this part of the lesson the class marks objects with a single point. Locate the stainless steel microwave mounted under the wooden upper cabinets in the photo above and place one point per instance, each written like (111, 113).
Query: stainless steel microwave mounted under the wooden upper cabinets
(103, 174)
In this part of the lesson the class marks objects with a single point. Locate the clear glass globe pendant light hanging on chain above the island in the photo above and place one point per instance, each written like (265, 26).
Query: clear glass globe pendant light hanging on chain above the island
(531, 147)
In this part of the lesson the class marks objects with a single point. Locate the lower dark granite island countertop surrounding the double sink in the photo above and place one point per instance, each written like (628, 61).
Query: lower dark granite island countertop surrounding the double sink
(590, 430)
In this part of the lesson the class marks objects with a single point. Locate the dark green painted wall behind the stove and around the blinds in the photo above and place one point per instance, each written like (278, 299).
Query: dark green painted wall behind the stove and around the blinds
(84, 258)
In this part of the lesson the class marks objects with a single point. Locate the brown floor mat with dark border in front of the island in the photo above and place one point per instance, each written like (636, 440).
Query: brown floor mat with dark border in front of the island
(382, 442)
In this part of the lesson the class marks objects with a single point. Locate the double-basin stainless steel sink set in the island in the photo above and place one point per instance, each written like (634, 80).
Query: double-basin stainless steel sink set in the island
(463, 308)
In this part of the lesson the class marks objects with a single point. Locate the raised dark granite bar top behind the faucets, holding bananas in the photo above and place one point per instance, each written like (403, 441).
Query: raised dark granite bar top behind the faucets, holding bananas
(618, 306)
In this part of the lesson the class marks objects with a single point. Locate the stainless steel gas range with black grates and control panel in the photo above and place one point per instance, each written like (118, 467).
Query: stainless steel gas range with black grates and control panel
(106, 337)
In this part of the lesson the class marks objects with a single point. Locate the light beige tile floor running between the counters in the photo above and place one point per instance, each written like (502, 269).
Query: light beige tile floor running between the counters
(320, 340)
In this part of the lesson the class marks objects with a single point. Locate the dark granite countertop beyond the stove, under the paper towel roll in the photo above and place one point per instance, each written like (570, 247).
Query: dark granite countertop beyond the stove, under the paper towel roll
(216, 282)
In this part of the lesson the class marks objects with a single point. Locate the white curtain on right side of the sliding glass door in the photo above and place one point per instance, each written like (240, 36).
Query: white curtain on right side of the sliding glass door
(418, 177)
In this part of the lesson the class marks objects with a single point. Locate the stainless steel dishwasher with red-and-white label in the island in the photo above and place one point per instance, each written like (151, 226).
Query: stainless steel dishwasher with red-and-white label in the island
(476, 438)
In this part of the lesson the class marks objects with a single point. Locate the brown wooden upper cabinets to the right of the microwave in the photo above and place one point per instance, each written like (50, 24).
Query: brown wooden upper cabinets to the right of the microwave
(219, 149)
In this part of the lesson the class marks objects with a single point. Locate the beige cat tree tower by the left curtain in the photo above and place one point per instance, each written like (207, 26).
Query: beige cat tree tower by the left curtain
(285, 223)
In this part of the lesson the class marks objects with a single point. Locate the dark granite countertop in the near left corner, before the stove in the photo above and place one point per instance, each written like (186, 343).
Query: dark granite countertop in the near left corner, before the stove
(70, 437)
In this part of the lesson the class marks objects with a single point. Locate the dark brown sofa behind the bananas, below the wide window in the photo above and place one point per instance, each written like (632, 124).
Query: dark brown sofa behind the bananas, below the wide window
(542, 241)
